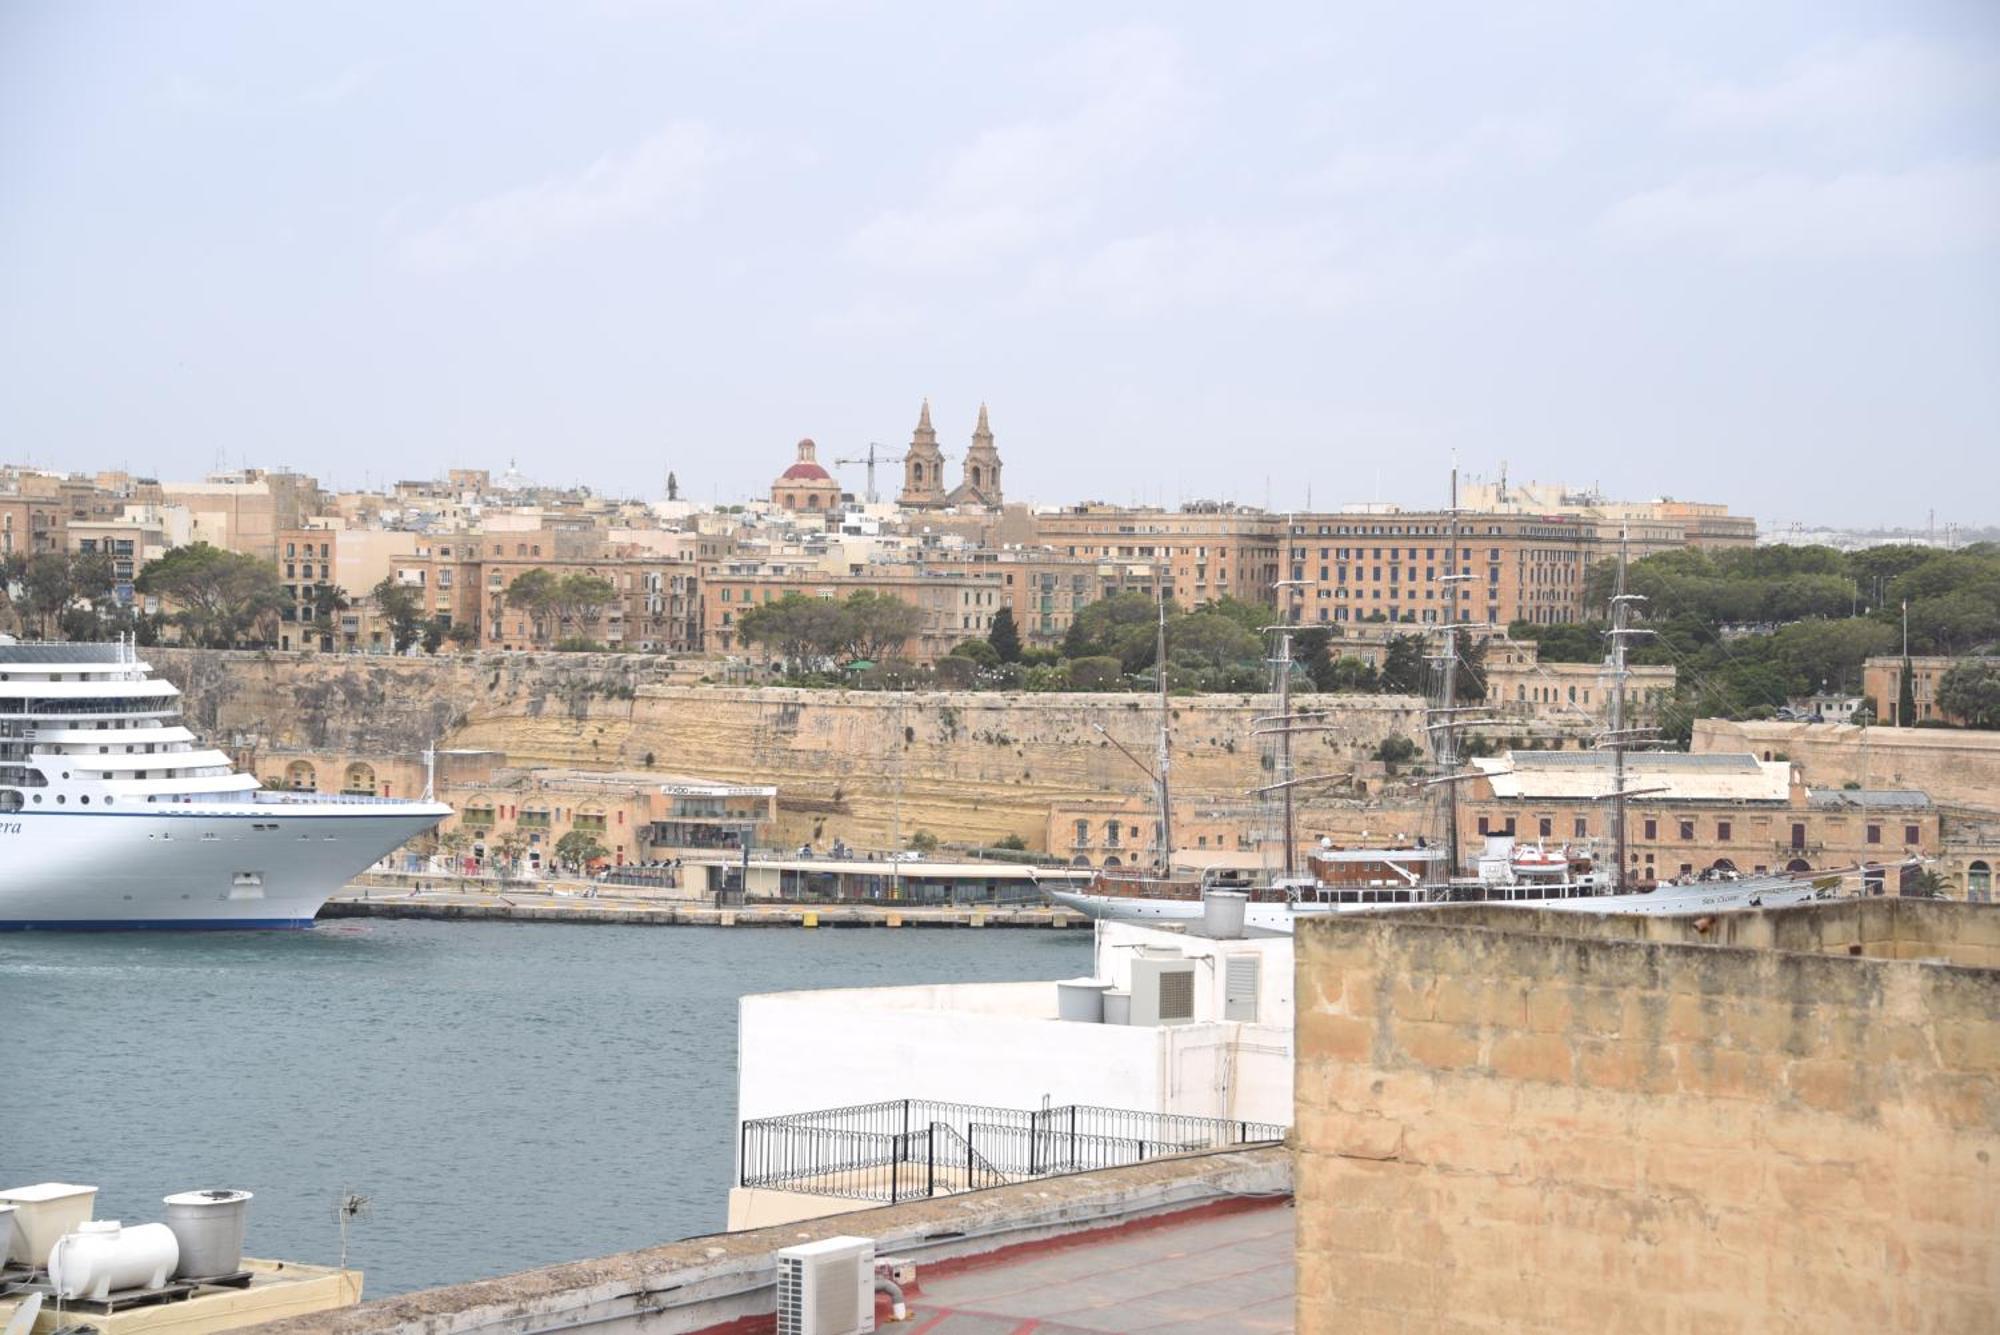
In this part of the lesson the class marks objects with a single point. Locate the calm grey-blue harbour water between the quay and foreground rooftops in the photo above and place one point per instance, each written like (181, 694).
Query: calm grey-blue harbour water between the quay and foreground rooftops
(509, 1096)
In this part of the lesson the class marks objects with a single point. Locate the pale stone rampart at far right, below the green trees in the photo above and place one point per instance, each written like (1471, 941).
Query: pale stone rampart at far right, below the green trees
(1957, 768)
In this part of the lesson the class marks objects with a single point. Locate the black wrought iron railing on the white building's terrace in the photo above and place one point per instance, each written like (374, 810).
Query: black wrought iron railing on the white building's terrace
(905, 1150)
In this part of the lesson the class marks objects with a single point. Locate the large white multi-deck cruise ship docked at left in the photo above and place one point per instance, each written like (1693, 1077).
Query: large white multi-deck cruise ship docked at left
(115, 816)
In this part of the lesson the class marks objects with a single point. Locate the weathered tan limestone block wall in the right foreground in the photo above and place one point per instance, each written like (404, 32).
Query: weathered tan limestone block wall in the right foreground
(1577, 1132)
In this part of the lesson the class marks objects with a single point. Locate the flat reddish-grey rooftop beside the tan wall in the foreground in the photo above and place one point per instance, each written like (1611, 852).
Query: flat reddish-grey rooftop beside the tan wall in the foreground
(1197, 1272)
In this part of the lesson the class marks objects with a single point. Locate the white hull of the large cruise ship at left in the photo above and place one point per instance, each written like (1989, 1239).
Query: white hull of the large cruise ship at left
(259, 866)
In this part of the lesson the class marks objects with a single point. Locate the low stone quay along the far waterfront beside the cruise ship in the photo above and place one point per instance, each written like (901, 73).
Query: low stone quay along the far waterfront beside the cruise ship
(541, 906)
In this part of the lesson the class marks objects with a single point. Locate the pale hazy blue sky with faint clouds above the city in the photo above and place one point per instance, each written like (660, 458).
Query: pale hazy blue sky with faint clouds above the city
(1285, 255)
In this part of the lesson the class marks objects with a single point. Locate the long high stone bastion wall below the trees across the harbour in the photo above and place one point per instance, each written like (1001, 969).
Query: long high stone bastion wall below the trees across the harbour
(959, 764)
